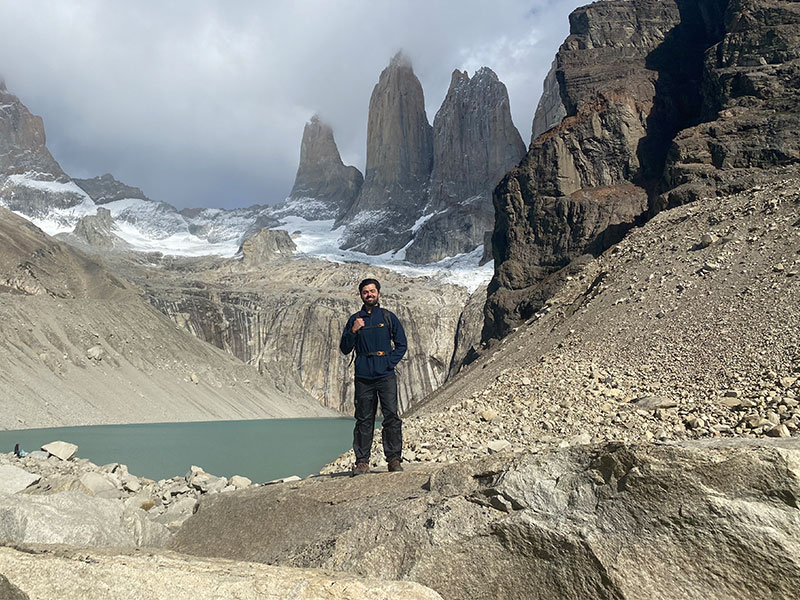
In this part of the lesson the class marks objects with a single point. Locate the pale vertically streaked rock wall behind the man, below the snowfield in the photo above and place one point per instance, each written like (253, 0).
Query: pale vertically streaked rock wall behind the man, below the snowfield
(286, 318)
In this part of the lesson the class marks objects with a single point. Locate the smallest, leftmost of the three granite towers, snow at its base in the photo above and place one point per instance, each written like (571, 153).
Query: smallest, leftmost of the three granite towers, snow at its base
(324, 188)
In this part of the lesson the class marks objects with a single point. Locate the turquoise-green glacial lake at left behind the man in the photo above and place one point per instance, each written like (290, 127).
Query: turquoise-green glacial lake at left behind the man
(262, 450)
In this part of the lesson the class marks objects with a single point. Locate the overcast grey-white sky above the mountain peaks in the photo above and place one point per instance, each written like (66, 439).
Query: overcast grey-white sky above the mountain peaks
(204, 103)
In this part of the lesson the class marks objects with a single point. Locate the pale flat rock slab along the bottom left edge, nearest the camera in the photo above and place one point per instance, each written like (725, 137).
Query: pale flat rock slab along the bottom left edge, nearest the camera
(88, 574)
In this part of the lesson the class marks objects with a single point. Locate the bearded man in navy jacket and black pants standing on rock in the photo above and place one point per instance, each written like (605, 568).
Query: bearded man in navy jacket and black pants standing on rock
(371, 332)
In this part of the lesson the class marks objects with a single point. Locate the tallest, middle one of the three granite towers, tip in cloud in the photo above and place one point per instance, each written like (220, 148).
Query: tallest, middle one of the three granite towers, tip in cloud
(399, 162)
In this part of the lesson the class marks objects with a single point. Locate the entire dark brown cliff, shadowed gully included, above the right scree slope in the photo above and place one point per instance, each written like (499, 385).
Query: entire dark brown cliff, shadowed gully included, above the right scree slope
(632, 77)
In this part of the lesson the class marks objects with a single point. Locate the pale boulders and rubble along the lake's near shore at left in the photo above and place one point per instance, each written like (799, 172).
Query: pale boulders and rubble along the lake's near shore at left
(139, 511)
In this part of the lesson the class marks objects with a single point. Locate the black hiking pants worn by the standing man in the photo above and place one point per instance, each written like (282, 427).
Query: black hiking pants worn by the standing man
(368, 393)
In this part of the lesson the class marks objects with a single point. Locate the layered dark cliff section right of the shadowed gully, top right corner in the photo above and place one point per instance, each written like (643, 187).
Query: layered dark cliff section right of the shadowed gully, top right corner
(750, 104)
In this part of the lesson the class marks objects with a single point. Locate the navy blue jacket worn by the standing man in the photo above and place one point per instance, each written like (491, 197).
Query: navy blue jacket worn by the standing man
(372, 339)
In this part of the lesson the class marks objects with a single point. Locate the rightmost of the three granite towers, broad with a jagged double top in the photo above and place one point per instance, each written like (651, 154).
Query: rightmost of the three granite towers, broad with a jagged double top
(475, 143)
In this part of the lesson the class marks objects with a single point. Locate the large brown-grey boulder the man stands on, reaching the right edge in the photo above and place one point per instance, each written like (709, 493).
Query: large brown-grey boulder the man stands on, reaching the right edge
(691, 520)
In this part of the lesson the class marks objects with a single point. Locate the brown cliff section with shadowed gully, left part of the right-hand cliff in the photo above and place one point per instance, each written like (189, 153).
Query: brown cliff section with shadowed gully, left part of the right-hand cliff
(629, 78)
